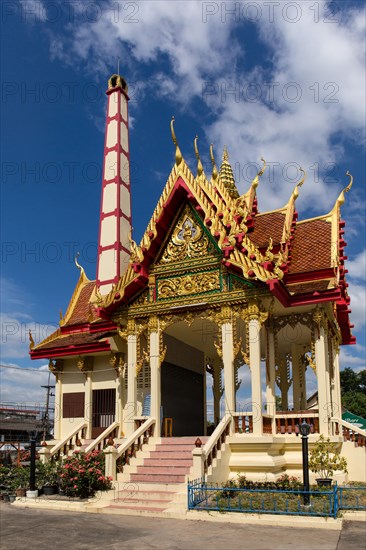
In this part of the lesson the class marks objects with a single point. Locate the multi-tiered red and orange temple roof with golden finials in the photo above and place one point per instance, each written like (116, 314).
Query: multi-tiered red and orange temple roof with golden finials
(299, 262)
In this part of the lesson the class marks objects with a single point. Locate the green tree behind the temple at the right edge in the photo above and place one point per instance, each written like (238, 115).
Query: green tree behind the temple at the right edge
(353, 389)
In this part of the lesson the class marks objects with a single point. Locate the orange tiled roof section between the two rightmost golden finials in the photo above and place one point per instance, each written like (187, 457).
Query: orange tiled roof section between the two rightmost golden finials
(311, 248)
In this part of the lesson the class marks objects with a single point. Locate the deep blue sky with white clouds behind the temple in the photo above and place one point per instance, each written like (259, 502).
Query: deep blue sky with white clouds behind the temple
(285, 81)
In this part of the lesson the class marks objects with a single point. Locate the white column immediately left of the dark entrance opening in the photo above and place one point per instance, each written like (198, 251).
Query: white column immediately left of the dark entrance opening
(155, 378)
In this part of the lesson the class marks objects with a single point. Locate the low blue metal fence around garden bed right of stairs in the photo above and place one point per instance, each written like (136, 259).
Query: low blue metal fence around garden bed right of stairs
(317, 502)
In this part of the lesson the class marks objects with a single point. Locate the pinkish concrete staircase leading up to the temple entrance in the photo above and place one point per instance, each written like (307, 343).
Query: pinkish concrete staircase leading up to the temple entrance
(155, 482)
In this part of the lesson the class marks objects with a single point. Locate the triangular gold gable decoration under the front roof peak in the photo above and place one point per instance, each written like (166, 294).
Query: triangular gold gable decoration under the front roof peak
(187, 242)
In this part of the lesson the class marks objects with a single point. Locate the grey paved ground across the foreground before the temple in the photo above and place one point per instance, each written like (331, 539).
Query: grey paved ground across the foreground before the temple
(24, 528)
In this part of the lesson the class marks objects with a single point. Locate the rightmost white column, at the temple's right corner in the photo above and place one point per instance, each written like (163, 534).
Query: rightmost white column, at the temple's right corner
(322, 379)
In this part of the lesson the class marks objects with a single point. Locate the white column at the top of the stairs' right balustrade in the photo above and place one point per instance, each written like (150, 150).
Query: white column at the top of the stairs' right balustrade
(228, 361)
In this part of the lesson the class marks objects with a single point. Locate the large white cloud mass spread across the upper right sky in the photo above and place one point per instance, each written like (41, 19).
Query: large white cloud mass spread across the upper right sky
(319, 61)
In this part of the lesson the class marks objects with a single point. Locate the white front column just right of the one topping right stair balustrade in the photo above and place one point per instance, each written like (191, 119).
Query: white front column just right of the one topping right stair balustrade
(255, 368)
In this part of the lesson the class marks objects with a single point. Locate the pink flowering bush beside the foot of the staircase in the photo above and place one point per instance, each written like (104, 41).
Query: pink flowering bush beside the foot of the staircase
(81, 475)
